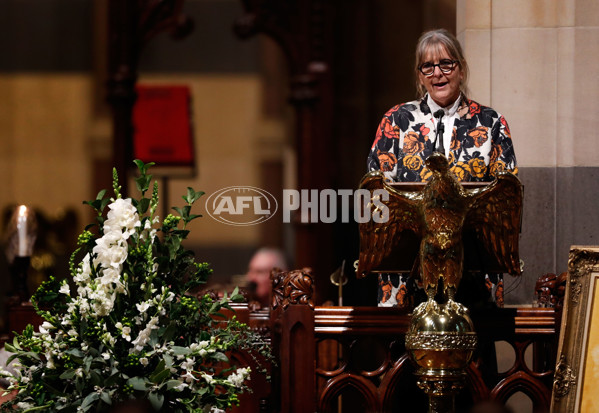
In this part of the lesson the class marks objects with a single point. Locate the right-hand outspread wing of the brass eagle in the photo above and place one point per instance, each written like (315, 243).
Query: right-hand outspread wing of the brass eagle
(496, 217)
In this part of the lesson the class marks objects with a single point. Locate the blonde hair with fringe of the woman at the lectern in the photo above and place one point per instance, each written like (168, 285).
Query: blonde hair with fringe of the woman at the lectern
(435, 39)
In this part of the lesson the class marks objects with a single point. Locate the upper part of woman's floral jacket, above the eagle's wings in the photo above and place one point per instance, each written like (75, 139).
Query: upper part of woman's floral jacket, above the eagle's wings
(481, 144)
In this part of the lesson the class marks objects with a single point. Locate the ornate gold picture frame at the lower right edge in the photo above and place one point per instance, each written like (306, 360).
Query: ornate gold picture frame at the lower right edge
(577, 372)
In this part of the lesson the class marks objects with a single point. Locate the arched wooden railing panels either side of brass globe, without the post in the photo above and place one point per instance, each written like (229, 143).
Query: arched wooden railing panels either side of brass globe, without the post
(388, 384)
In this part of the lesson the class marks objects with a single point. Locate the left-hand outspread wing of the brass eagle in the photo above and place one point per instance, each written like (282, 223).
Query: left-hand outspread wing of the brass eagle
(377, 239)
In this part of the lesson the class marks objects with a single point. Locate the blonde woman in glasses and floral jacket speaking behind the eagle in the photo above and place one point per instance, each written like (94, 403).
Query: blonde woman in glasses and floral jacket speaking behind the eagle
(475, 139)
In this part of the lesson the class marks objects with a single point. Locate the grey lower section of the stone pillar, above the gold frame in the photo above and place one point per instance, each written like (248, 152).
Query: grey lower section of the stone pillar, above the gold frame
(561, 208)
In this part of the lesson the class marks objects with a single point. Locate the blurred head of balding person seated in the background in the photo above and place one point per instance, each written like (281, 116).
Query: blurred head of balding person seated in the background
(258, 275)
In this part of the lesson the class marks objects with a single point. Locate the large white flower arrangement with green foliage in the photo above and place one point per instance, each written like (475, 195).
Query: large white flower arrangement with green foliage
(117, 335)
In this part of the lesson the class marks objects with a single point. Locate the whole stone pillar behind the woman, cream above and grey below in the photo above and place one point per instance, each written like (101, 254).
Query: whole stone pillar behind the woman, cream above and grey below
(535, 62)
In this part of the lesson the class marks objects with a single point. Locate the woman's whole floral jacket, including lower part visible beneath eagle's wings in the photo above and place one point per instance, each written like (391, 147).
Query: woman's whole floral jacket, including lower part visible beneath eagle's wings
(481, 146)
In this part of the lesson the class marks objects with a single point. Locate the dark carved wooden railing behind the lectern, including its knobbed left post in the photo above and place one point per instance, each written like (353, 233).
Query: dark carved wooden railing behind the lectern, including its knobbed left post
(354, 359)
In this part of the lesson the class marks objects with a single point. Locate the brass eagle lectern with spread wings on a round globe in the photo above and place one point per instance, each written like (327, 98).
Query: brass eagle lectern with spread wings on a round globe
(441, 337)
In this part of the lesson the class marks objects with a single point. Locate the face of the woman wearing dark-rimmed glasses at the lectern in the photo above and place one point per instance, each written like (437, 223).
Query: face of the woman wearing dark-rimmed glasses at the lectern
(443, 88)
